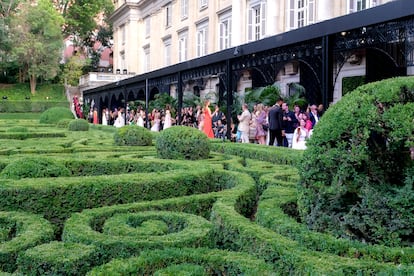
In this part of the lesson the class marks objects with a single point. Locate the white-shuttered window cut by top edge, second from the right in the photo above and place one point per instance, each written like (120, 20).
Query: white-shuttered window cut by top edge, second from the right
(302, 13)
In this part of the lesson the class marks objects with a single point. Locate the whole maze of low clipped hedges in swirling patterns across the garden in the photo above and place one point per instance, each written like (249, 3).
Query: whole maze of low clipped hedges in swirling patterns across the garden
(120, 210)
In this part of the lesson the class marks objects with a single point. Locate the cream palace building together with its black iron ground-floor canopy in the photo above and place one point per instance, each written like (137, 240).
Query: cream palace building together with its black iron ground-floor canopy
(216, 46)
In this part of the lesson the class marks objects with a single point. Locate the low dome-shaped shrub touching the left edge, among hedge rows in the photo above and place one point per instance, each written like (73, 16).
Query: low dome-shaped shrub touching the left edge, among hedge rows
(33, 167)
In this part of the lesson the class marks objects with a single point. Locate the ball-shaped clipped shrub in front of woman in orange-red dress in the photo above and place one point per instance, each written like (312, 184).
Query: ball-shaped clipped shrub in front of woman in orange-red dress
(180, 142)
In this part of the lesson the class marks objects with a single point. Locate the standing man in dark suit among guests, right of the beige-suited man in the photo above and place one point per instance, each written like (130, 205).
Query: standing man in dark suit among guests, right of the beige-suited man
(276, 123)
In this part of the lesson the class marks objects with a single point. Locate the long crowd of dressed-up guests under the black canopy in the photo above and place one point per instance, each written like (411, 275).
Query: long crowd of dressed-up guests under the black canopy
(276, 125)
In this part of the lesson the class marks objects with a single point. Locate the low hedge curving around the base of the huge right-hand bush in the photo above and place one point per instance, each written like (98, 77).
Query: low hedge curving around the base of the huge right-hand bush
(272, 214)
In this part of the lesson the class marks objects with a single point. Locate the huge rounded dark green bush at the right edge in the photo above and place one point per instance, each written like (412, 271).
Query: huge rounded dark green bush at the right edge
(355, 175)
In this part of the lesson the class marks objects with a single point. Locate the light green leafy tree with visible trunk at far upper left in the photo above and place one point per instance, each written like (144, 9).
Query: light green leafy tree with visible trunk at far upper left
(37, 41)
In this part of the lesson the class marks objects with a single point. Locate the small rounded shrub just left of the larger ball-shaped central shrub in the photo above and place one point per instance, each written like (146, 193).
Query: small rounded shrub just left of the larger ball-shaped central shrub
(133, 136)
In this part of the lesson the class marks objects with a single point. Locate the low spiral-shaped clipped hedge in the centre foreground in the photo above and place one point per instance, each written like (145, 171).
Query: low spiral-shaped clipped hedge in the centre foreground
(126, 234)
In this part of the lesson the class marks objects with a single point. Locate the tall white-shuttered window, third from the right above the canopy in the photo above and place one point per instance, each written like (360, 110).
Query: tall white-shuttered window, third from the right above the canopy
(256, 20)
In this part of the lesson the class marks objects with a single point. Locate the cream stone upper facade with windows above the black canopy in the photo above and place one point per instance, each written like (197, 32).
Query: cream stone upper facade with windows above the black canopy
(152, 34)
